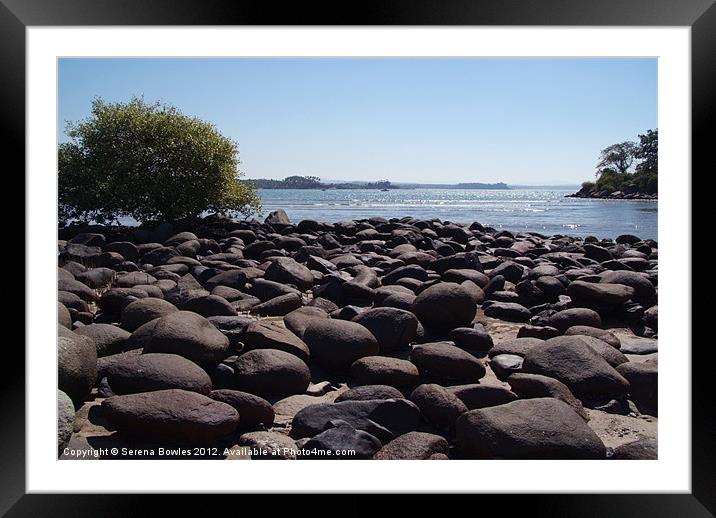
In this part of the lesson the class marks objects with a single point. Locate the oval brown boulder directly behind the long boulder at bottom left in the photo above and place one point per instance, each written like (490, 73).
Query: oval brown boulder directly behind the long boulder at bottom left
(156, 371)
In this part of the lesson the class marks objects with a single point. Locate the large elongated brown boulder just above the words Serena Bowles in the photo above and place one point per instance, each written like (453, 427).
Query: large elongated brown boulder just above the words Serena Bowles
(173, 416)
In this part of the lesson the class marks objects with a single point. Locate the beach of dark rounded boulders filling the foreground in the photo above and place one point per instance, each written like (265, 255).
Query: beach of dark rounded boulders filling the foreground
(373, 338)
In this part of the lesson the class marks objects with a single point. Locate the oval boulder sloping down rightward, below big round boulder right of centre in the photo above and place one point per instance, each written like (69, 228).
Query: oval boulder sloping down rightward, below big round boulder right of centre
(445, 361)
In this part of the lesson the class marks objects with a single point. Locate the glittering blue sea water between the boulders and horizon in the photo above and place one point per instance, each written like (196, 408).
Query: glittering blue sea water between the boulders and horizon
(545, 211)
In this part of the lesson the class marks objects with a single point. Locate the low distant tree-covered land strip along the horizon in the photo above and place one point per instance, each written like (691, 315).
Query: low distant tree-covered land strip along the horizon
(313, 182)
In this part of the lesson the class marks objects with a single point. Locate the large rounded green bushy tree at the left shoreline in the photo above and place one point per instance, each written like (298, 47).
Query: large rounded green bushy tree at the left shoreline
(150, 162)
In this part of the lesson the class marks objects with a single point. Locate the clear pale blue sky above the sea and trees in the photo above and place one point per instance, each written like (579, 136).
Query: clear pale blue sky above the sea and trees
(520, 121)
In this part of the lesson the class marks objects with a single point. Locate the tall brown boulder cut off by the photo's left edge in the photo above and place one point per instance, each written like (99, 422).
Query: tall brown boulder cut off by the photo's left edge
(76, 365)
